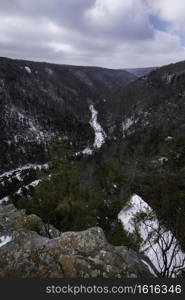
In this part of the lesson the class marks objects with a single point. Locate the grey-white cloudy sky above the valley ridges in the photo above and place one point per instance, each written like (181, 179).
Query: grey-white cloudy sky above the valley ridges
(108, 33)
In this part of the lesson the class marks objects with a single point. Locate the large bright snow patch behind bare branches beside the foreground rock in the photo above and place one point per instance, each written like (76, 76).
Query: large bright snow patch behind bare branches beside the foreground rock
(156, 239)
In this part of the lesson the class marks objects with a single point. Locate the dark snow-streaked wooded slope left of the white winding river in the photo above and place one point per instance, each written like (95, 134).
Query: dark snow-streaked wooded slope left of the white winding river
(41, 102)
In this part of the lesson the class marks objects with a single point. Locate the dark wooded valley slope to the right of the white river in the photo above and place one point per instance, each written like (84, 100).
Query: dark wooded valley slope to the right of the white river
(150, 137)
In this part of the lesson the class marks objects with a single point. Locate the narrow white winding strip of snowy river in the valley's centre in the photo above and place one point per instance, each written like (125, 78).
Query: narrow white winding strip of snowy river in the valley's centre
(100, 134)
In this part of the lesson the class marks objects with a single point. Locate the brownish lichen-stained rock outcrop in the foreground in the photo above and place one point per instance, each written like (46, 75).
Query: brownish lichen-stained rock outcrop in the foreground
(26, 253)
